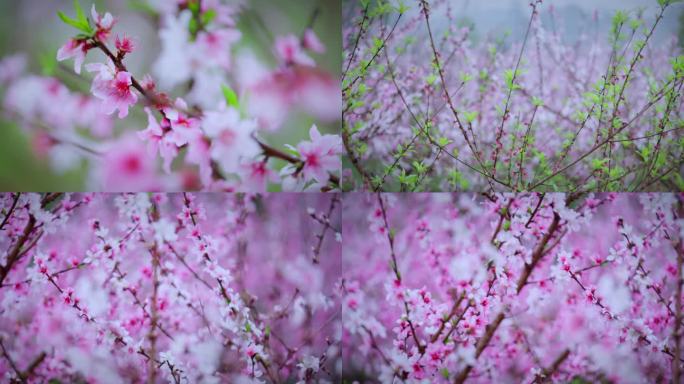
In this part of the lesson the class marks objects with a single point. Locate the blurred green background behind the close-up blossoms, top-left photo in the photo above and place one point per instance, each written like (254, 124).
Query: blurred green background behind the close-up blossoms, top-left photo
(32, 27)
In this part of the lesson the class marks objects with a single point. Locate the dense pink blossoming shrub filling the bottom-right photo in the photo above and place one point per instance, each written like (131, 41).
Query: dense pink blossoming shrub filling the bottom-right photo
(449, 288)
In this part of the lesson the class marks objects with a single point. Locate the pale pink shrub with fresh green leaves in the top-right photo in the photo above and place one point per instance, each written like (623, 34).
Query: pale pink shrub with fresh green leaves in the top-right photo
(434, 108)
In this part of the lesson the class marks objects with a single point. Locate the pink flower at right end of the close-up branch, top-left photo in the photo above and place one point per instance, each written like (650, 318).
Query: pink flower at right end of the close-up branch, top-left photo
(321, 155)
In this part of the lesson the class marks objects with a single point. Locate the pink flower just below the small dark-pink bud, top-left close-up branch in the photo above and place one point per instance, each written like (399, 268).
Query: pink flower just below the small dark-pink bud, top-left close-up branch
(113, 88)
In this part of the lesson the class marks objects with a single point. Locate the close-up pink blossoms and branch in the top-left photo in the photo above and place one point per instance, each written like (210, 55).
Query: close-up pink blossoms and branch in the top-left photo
(211, 104)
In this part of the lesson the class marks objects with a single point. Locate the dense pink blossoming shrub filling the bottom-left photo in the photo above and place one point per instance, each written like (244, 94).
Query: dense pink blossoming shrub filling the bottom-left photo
(176, 288)
